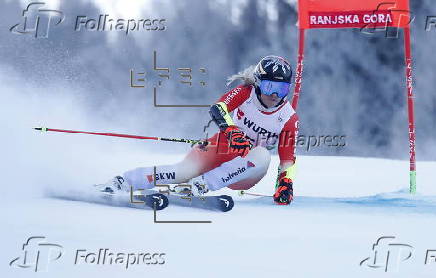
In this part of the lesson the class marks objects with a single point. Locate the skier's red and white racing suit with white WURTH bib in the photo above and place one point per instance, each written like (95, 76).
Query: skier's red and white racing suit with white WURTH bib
(219, 167)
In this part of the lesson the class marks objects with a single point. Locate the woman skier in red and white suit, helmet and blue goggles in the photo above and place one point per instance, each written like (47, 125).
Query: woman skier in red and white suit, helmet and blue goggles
(238, 155)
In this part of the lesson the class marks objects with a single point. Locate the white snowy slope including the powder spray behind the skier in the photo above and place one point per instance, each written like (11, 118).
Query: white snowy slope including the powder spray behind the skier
(342, 206)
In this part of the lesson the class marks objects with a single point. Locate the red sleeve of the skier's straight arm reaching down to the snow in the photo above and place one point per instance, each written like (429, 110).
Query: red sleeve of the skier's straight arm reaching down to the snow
(288, 139)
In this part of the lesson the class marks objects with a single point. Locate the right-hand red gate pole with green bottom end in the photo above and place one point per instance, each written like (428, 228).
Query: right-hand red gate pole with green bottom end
(410, 97)
